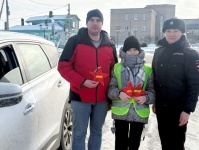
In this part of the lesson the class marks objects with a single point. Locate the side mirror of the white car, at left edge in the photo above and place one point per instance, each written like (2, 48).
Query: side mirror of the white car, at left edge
(10, 94)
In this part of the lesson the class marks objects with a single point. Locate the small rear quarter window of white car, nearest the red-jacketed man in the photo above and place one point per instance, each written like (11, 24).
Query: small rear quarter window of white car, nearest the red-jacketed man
(52, 53)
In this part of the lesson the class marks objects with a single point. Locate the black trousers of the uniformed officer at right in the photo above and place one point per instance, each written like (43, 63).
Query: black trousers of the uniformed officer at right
(172, 136)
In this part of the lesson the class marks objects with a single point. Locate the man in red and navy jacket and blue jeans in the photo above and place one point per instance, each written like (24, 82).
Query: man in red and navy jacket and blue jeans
(86, 62)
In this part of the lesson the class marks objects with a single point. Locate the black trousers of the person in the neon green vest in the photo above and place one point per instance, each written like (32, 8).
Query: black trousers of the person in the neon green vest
(127, 135)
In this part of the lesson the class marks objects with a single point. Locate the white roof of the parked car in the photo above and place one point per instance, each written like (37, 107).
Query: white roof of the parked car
(16, 36)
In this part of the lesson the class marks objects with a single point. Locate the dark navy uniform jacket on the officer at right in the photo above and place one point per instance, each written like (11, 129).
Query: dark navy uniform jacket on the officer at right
(176, 76)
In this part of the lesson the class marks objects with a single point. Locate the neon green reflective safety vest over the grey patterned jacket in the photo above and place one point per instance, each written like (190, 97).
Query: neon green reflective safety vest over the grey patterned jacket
(120, 108)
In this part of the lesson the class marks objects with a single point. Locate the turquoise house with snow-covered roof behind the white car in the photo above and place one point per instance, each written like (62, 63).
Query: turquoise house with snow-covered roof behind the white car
(56, 28)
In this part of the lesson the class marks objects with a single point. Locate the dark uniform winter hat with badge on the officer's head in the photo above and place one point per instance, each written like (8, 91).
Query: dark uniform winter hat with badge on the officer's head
(174, 23)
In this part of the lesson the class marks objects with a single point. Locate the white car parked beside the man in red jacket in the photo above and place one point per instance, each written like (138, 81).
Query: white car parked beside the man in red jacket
(34, 109)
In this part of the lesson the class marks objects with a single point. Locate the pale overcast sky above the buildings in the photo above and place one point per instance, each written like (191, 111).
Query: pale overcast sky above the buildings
(185, 9)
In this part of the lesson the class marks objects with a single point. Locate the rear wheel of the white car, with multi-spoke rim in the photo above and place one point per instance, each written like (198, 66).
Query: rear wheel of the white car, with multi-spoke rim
(66, 134)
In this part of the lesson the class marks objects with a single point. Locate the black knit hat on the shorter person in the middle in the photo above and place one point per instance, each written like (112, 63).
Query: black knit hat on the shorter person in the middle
(131, 42)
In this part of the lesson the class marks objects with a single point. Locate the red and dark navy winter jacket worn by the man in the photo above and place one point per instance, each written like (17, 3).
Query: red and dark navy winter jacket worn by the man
(79, 58)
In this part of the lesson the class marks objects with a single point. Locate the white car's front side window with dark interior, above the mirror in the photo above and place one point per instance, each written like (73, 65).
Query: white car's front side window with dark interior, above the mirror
(9, 68)
